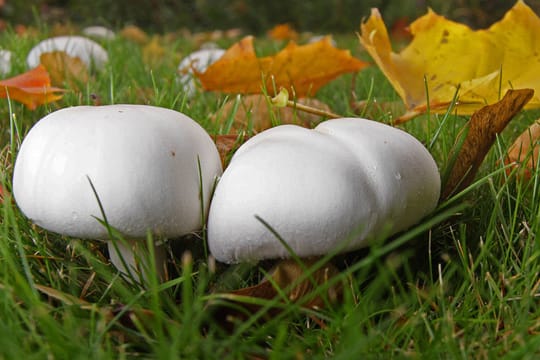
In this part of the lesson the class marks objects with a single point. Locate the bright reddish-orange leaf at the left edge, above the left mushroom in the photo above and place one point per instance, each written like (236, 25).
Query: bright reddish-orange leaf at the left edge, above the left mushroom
(32, 88)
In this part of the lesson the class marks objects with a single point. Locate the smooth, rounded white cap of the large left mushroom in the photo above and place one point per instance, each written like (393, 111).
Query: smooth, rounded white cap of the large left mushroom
(142, 160)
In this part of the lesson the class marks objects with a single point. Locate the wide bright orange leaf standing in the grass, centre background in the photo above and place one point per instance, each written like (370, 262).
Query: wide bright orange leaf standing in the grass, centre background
(301, 69)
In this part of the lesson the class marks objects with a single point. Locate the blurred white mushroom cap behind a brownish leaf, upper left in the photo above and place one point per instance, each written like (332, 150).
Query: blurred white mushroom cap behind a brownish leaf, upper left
(89, 51)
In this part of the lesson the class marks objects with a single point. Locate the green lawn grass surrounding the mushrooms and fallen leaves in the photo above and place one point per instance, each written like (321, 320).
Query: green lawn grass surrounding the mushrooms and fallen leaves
(462, 284)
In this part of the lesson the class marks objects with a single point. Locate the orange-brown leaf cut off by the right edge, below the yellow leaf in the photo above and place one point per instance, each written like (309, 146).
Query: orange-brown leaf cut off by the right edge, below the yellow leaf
(523, 153)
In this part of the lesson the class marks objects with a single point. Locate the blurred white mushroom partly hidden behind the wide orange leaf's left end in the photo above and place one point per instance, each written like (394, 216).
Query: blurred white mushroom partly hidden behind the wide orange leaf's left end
(198, 60)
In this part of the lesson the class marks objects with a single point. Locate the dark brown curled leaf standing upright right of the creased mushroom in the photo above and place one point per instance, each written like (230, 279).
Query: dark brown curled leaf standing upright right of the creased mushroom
(481, 132)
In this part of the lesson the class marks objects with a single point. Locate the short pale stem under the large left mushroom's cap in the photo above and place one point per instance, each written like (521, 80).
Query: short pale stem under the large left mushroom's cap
(132, 258)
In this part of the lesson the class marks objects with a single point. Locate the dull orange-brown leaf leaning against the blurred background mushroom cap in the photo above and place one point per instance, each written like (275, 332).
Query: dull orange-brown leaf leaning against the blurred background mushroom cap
(63, 68)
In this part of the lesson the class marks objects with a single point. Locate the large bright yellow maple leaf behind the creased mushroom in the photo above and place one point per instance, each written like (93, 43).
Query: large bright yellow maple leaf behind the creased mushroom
(445, 55)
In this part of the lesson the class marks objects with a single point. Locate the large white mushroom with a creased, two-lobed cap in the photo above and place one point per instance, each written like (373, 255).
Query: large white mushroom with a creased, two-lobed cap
(334, 187)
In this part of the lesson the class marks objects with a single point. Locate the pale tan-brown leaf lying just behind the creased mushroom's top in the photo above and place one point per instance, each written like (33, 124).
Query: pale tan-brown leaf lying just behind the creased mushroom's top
(254, 113)
